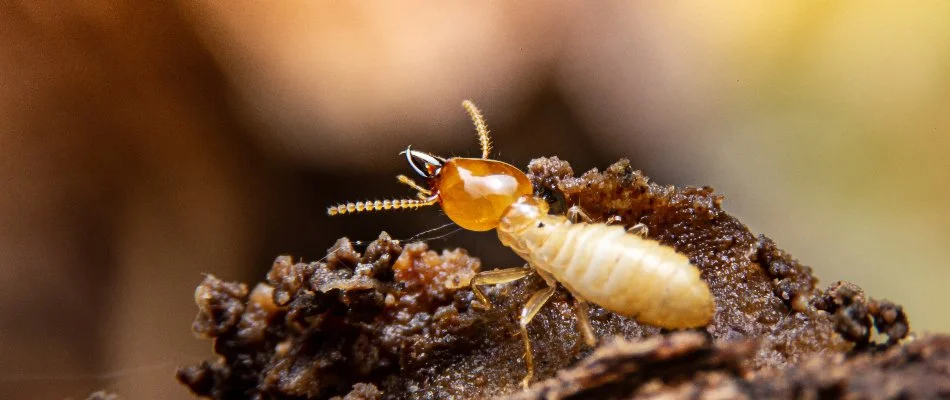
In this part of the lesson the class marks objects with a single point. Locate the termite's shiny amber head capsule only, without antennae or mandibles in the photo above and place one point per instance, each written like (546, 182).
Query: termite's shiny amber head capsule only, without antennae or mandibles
(476, 192)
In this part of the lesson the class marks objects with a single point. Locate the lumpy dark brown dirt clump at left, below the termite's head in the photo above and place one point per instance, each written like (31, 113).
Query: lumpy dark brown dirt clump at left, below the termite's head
(316, 329)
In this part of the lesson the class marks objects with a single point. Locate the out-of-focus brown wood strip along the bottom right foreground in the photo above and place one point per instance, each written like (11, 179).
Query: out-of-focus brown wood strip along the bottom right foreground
(690, 365)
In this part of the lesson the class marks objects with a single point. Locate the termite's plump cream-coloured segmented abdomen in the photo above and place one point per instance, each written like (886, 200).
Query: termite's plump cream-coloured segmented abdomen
(622, 272)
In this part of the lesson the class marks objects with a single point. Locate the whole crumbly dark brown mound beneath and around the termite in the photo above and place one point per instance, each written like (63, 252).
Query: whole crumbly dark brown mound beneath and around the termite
(401, 322)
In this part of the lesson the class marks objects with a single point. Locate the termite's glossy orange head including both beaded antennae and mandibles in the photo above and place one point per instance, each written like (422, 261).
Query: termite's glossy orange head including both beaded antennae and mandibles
(474, 192)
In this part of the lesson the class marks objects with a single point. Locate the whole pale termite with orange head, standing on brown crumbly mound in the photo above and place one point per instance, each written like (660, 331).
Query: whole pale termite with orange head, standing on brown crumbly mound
(604, 264)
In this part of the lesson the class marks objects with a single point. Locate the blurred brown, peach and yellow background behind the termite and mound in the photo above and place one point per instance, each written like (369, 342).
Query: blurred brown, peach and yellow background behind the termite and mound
(144, 144)
